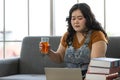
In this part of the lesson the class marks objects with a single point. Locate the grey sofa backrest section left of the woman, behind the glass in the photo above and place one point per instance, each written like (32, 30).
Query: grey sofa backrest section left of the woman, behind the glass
(31, 60)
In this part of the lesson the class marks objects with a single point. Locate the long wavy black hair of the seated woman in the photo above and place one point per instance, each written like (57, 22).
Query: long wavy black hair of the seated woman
(91, 22)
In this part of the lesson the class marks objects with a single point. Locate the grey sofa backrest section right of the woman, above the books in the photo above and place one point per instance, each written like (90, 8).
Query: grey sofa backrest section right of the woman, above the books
(113, 49)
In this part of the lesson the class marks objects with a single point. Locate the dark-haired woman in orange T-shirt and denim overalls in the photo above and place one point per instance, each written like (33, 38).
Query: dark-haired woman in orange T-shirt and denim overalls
(84, 39)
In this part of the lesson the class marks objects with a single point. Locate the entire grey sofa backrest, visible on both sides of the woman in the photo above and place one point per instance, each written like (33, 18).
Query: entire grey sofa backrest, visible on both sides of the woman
(32, 61)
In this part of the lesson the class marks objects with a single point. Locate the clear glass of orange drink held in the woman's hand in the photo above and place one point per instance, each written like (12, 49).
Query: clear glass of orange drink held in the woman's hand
(45, 45)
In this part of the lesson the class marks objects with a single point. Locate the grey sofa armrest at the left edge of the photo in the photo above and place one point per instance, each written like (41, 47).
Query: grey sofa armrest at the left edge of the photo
(9, 66)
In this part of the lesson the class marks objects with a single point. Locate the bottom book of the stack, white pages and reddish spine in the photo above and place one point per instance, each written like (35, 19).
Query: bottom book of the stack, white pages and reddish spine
(90, 76)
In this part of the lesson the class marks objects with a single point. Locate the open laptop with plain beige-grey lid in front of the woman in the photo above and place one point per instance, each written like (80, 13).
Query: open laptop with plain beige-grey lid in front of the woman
(63, 74)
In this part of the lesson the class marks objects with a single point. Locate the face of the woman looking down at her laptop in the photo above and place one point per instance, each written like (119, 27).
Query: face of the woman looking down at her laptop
(78, 21)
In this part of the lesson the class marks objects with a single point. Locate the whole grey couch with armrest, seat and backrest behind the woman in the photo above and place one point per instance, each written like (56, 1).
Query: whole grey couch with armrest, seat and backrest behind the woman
(31, 63)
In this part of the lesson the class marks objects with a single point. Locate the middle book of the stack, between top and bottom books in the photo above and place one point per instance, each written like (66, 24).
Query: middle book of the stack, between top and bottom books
(104, 70)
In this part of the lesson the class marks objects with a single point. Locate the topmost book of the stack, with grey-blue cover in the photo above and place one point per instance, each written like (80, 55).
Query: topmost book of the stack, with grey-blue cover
(105, 62)
